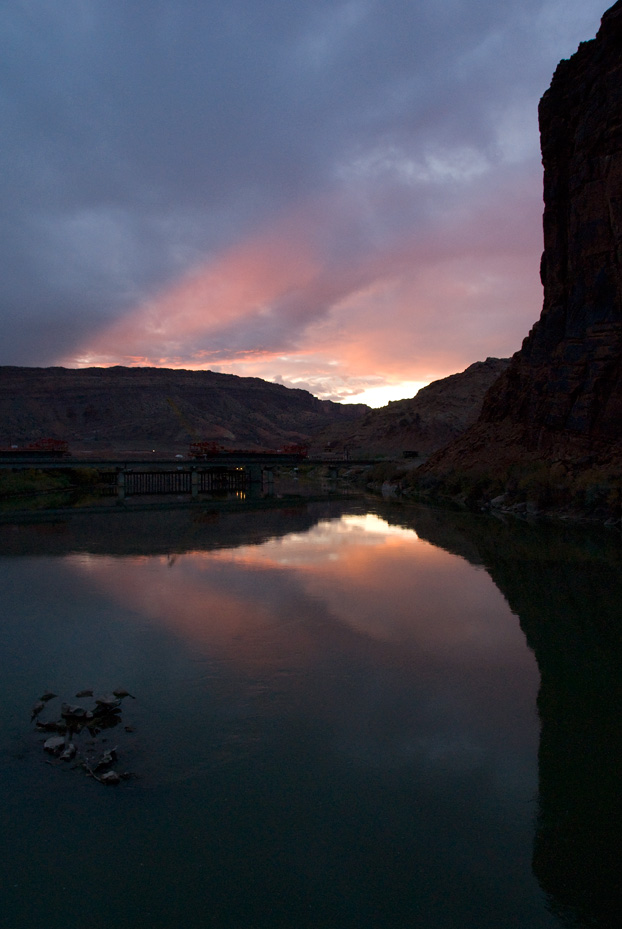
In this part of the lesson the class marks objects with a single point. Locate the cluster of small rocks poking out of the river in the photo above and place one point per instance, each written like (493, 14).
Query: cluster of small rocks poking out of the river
(65, 742)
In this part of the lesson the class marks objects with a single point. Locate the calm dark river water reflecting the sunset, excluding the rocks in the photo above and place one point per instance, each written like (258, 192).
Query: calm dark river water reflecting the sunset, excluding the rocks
(344, 717)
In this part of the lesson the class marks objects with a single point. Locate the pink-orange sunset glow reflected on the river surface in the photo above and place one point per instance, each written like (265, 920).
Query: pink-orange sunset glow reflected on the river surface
(196, 599)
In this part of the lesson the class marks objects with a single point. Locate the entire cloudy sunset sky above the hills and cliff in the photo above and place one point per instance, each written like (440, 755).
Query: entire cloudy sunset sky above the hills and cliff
(339, 195)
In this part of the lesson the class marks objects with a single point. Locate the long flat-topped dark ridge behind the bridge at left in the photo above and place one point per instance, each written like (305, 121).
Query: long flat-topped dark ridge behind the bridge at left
(106, 409)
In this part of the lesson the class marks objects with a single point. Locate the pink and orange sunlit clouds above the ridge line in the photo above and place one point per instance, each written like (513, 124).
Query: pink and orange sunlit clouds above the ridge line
(317, 299)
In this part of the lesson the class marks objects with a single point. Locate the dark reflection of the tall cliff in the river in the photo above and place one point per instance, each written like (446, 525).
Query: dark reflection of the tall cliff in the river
(565, 585)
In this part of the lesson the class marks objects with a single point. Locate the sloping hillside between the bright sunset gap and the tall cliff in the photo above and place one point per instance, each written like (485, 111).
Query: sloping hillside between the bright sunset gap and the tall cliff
(434, 417)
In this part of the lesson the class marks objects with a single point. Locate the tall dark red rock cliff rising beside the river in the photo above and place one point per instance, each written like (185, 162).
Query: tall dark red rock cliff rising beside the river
(550, 433)
